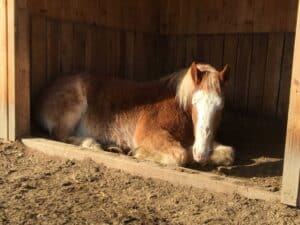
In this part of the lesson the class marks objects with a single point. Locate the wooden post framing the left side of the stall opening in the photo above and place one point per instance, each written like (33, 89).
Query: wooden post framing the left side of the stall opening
(15, 72)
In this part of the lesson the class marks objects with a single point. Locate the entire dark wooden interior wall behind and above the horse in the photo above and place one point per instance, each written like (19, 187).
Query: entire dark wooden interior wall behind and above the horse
(143, 40)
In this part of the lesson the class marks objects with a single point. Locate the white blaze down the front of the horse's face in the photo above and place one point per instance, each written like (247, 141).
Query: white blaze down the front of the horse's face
(206, 104)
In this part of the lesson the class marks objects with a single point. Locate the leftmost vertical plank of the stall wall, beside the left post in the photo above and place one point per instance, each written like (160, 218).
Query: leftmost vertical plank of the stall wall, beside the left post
(38, 59)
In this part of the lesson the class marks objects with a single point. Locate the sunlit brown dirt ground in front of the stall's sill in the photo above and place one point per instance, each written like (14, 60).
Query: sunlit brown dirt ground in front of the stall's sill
(37, 189)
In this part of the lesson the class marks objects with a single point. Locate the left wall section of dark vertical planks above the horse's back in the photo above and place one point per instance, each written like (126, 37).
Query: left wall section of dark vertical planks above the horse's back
(63, 47)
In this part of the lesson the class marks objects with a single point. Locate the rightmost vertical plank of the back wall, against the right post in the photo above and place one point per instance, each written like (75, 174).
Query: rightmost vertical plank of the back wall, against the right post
(285, 78)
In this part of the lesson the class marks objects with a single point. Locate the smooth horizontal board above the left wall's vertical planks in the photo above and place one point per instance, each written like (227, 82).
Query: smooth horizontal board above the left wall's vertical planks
(130, 15)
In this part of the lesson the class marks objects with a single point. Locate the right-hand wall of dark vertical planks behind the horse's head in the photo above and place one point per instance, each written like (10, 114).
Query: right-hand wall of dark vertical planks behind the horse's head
(260, 67)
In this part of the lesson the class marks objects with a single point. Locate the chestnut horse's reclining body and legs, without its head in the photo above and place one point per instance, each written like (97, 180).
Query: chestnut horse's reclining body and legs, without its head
(146, 118)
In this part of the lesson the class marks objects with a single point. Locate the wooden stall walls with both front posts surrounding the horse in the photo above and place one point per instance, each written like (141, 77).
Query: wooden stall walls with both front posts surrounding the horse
(144, 40)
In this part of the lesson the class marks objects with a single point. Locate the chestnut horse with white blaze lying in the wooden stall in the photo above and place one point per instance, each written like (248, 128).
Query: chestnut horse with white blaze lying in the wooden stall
(172, 120)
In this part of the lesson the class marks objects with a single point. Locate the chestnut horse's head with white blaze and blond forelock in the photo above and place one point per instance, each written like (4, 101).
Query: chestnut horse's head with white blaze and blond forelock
(201, 92)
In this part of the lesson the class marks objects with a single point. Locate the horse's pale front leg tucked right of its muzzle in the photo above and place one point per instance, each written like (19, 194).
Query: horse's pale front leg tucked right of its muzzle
(222, 155)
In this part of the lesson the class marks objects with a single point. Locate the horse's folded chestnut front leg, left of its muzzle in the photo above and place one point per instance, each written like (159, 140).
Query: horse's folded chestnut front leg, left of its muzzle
(159, 146)
